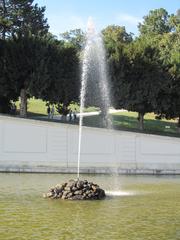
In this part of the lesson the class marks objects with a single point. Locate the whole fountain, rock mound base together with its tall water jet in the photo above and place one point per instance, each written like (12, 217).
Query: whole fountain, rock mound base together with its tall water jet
(93, 78)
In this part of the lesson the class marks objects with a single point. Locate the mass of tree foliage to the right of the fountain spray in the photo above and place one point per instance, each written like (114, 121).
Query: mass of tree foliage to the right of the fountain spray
(145, 72)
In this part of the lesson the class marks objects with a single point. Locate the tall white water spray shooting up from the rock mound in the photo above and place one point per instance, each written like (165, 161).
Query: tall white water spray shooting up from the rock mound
(93, 62)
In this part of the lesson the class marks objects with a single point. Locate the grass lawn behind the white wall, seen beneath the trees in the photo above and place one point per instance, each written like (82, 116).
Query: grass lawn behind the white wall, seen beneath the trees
(121, 120)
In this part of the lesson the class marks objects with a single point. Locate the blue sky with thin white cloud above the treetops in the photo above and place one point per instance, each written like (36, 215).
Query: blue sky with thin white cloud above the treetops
(65, 15)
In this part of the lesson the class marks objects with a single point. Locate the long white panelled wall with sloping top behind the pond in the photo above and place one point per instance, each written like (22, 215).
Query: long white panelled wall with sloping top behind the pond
(29, 145)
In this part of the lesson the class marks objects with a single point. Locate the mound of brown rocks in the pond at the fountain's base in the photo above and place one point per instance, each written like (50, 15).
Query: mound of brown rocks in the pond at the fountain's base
(76, 190)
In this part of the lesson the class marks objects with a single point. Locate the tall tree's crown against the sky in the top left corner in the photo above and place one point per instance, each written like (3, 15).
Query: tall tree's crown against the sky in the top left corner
(21, 17)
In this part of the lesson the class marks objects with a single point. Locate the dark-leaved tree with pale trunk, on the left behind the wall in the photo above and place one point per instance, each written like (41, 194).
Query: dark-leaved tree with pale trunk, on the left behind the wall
(26, 60)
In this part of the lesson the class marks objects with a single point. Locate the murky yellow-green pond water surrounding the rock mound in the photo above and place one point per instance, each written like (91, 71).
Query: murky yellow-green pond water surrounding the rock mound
(148, 208)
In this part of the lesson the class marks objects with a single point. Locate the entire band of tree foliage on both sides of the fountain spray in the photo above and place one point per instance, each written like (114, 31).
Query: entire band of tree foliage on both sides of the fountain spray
(144, 72)
